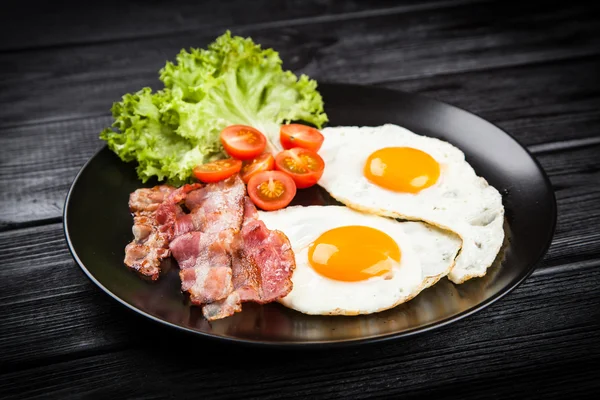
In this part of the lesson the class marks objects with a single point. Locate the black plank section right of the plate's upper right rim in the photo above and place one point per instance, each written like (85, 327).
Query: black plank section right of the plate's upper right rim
(538, 104)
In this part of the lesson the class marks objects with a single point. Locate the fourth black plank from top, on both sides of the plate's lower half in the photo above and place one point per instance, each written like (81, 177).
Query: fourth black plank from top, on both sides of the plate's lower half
(34, 316)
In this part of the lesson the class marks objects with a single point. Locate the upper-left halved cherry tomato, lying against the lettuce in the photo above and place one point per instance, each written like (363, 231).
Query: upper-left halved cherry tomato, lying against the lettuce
(243, 142)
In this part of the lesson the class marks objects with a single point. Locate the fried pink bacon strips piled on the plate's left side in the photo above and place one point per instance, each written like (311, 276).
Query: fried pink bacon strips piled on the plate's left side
(225, 253)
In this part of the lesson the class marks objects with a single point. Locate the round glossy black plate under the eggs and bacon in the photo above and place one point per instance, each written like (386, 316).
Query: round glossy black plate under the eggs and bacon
(98, 226)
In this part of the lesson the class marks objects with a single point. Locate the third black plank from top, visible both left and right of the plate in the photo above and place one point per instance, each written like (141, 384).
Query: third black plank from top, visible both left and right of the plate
(558, 103)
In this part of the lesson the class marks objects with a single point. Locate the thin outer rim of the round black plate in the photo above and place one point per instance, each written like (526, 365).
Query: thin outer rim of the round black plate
(341, 342)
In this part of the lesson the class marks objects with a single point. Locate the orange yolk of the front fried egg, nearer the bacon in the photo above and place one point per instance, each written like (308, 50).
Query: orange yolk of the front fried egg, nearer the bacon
(353, 253)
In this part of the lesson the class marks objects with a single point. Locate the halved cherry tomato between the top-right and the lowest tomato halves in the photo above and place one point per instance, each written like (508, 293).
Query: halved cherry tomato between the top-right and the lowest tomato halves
(303, 165)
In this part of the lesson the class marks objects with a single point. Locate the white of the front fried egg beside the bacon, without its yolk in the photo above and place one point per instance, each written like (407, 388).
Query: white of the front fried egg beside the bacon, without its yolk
(427, 253)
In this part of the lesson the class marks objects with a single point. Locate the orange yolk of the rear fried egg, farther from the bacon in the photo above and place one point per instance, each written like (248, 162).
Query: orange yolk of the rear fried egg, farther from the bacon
(402, 169)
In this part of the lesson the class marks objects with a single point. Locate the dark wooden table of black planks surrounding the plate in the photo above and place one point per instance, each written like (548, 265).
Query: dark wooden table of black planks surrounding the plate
(530, 67)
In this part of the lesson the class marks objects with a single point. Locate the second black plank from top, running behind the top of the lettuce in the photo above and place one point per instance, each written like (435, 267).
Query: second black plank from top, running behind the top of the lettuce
(74, 82)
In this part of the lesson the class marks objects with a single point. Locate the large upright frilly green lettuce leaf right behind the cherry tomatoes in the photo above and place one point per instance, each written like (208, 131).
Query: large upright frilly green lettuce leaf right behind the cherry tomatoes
(235, 81)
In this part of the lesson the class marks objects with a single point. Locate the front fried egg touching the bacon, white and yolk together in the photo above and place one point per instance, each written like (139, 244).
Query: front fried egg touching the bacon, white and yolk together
(350, 263)
